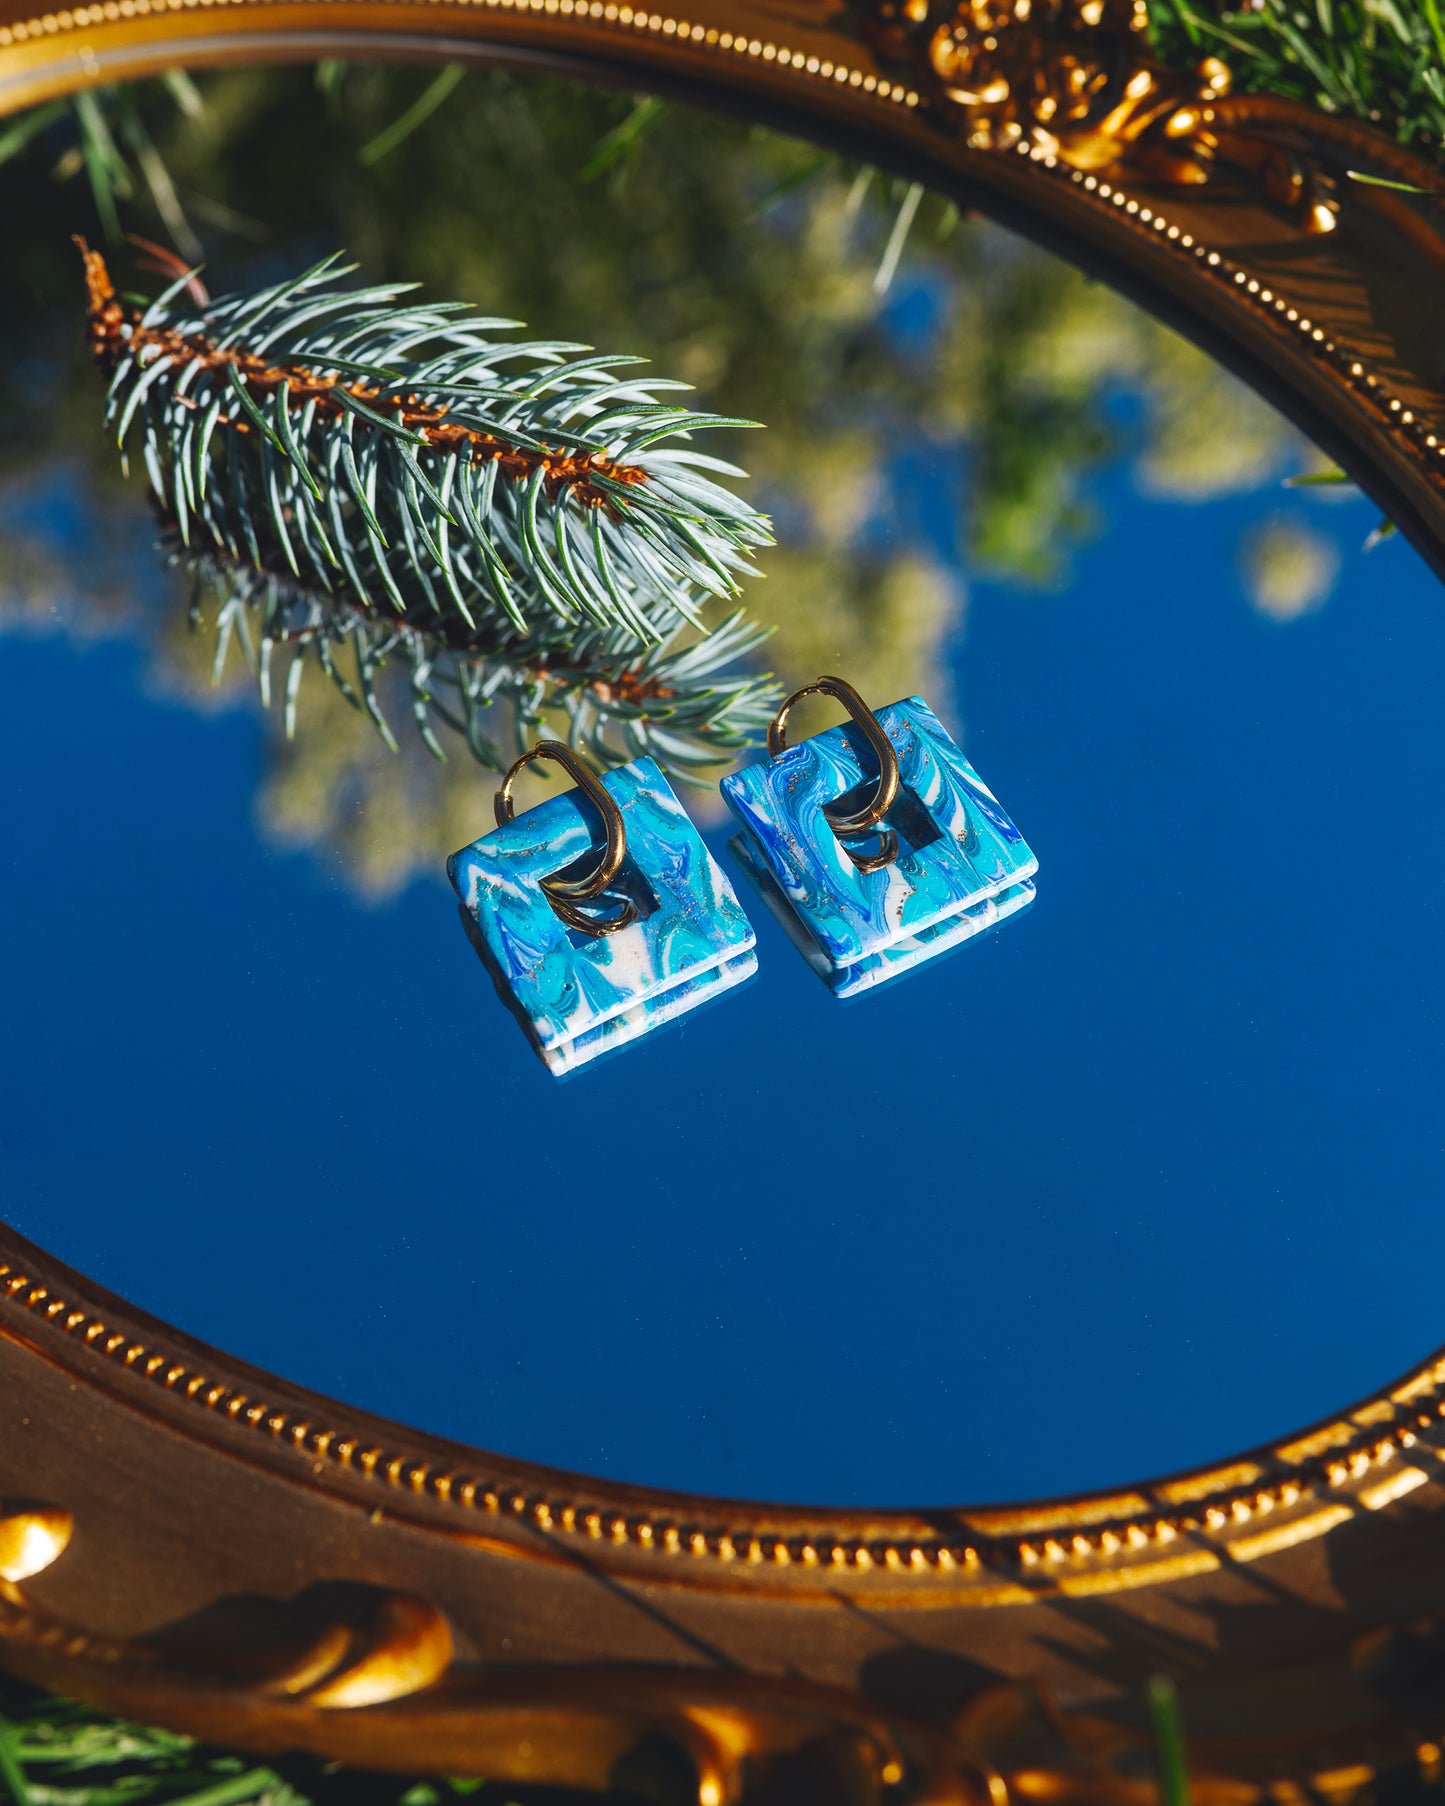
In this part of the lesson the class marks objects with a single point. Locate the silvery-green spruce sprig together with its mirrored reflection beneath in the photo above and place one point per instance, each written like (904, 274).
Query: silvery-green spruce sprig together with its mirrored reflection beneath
(512, 521)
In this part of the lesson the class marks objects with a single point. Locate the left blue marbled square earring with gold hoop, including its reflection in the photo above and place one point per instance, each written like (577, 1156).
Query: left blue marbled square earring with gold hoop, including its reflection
(595, 949)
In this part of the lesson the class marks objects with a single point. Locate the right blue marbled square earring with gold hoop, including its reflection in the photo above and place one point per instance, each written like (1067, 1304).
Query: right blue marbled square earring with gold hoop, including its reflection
(875, 844)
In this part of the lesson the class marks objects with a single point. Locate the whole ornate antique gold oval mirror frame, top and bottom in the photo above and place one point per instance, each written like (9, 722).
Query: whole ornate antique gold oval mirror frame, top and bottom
(205, 1547)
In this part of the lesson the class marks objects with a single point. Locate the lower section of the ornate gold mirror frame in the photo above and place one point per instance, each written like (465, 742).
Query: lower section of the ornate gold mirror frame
(528, 1626)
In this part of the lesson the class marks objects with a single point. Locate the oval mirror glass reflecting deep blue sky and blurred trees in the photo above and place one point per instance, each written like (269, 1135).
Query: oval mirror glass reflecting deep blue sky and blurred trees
(1144, 1177)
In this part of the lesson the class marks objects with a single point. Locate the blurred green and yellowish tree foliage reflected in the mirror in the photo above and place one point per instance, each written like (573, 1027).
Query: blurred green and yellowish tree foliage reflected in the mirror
(944, 424)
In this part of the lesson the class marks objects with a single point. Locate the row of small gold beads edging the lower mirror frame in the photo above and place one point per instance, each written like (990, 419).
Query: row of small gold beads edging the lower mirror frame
(1356, 1455)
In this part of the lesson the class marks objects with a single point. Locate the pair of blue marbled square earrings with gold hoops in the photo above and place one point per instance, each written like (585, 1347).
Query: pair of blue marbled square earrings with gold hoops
(875, 844)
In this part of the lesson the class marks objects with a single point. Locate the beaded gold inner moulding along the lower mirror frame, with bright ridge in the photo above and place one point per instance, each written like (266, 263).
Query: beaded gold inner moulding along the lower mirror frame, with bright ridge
(1123, 1543)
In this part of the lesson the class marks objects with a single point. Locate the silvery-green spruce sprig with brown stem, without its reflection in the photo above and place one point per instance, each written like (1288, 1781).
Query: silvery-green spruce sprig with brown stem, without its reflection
(404, 458)
